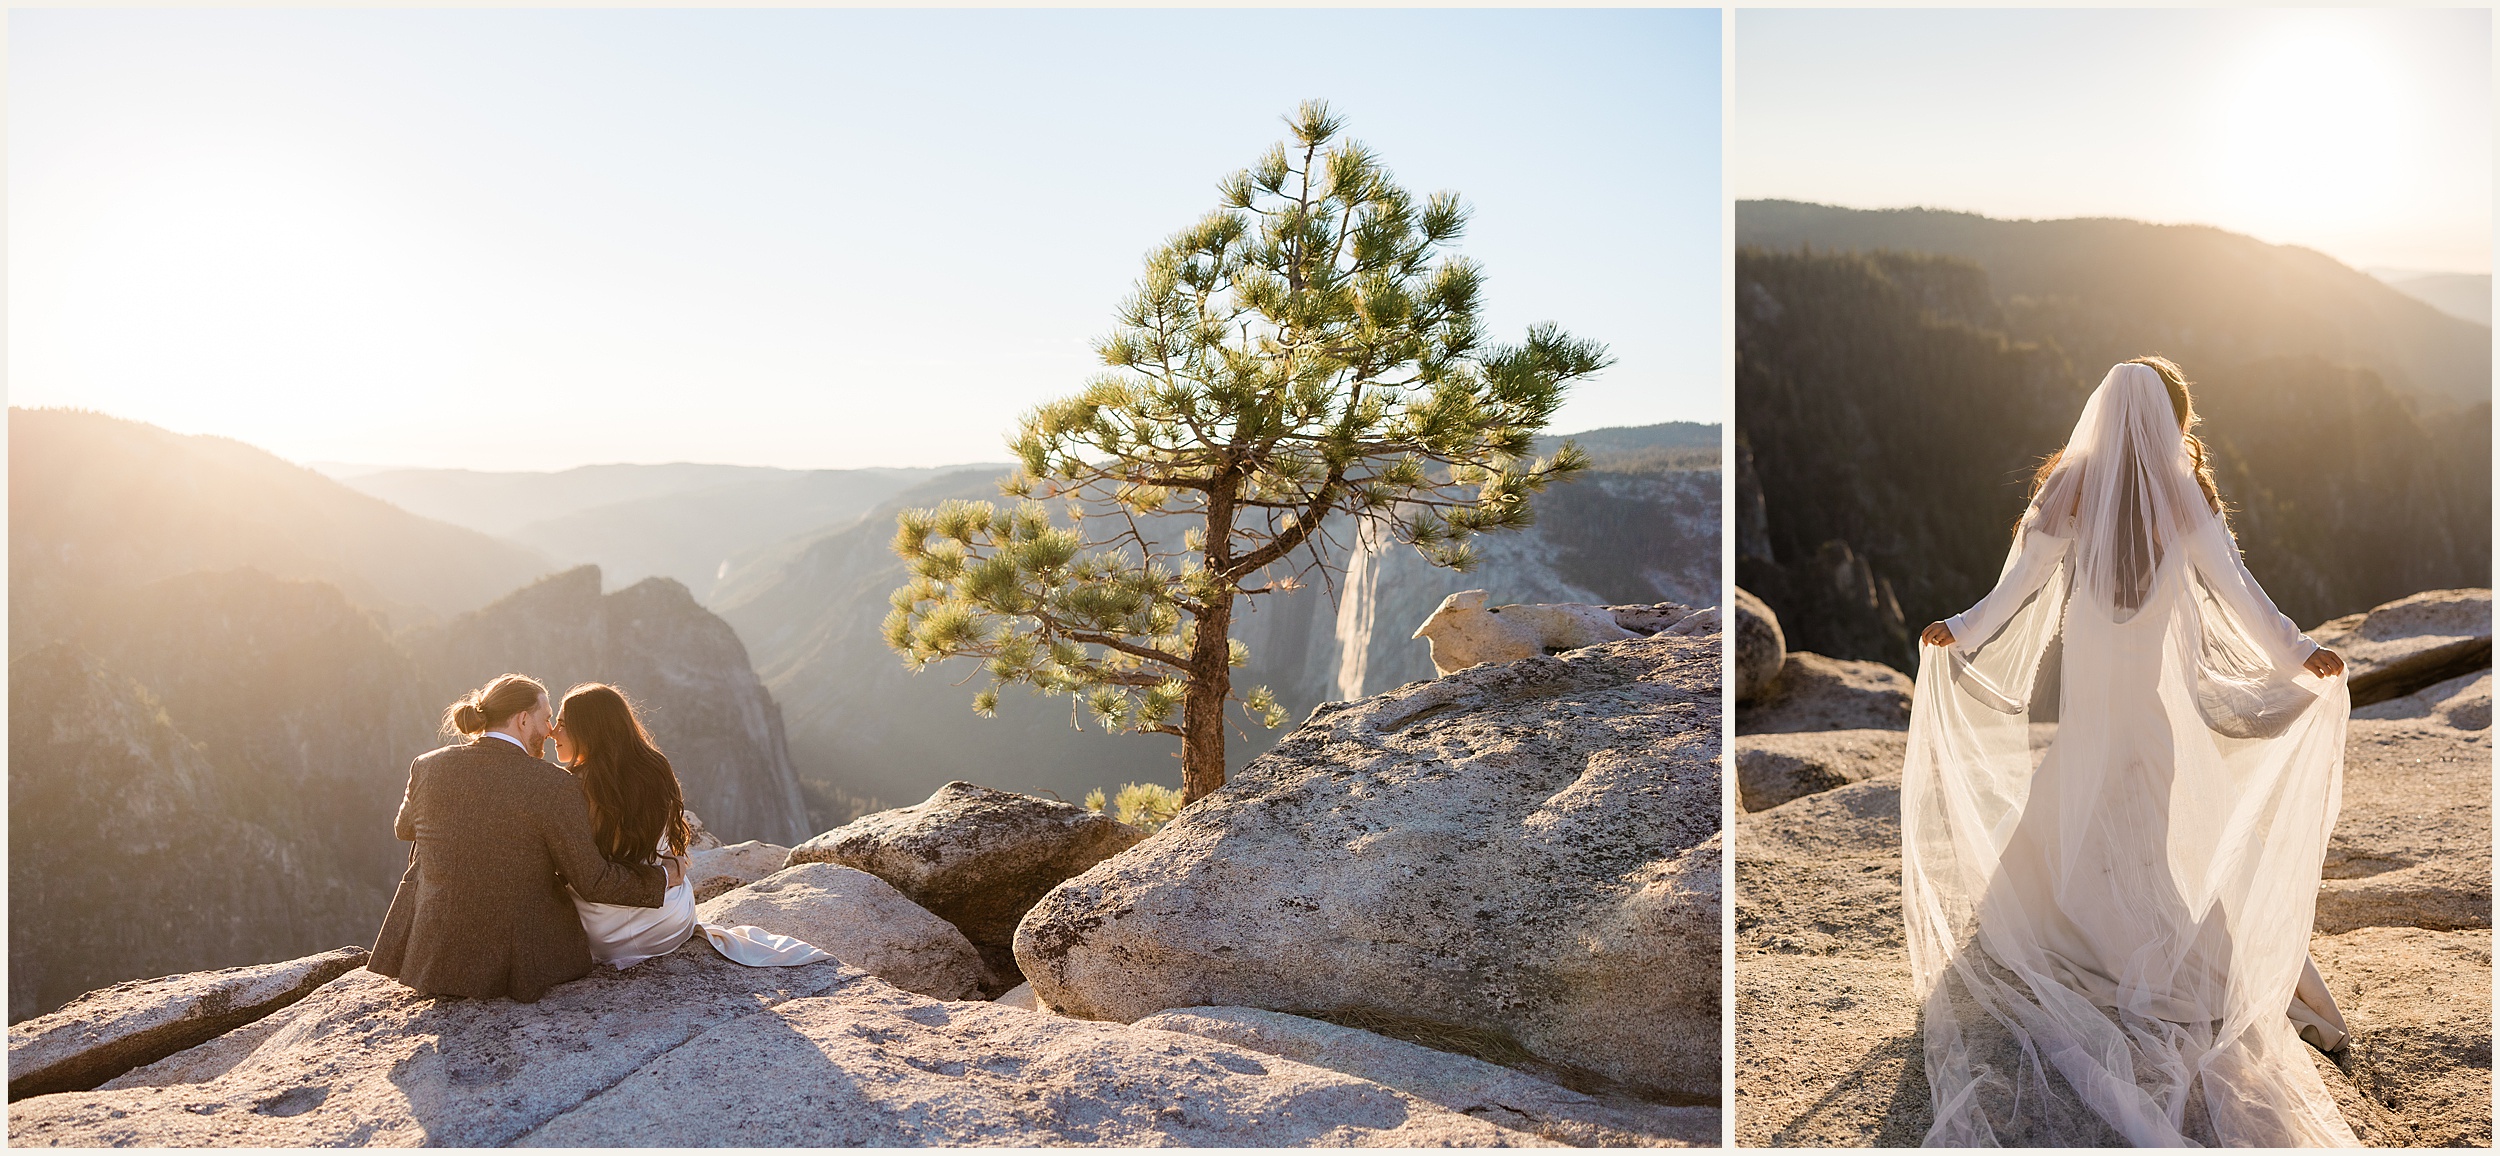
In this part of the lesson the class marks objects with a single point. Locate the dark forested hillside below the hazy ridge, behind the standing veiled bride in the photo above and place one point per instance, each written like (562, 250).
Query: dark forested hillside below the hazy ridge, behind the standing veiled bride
(1891, 409)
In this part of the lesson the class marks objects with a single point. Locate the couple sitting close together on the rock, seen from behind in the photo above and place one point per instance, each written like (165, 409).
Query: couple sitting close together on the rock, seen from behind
(524, 875)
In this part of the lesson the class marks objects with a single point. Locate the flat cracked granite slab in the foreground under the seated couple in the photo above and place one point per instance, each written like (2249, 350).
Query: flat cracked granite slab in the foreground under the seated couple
(696, 1050)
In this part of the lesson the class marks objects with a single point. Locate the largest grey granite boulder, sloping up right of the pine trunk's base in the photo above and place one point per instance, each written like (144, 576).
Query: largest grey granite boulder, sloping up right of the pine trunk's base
(1514, 859)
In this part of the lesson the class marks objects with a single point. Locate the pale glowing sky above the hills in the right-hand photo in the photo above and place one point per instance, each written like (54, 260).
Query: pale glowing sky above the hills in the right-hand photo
(2361, 134)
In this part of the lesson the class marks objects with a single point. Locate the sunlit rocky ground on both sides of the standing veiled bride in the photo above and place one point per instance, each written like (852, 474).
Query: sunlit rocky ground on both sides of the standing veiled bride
(1826, 1027)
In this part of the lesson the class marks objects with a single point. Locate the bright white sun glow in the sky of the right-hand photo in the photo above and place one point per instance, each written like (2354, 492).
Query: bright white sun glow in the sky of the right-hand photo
(2311, 129)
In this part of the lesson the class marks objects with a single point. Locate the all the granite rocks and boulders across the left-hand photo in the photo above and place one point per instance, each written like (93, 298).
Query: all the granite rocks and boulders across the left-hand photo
(1549, 824)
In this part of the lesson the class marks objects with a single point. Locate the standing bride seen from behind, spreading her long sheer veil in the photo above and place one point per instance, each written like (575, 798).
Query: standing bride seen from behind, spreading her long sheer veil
(2111, 935)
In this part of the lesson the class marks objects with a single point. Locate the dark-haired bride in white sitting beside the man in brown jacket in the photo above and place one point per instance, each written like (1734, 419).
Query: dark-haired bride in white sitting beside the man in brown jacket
(639, 817)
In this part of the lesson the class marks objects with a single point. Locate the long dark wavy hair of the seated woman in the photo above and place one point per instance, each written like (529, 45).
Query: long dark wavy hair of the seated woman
(634, 792)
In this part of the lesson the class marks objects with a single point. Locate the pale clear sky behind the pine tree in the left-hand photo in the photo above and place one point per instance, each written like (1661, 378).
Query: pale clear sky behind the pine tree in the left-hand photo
(816, 239)
